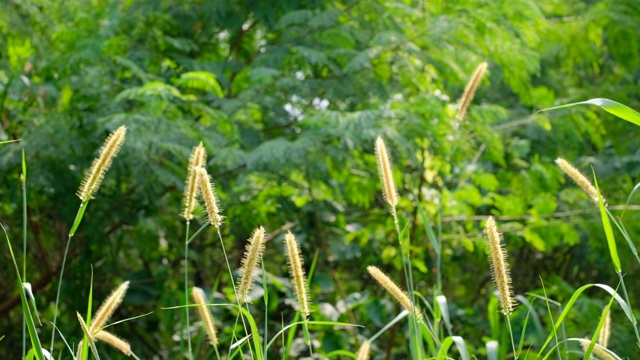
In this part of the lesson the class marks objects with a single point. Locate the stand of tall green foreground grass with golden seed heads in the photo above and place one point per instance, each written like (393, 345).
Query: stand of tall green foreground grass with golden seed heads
(428, 324)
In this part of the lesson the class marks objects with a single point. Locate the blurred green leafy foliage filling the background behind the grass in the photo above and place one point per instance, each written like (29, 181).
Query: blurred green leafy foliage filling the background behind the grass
(288, 98)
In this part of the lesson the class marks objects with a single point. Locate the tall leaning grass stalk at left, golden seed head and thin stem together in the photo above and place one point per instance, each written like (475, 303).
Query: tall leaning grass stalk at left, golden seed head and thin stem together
(88, 188)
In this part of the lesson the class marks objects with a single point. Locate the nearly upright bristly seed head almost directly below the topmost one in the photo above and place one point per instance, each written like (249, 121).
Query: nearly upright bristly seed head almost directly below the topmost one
(499, 267)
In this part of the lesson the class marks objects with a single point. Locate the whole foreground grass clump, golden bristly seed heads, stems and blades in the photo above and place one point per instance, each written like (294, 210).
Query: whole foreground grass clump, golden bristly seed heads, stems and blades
(428, 325)
